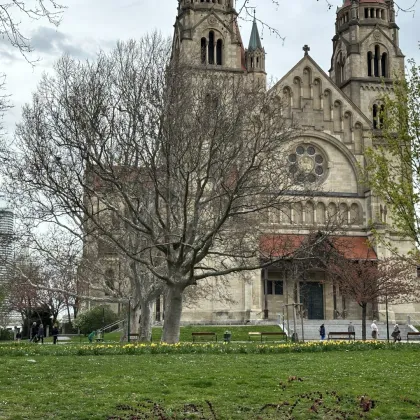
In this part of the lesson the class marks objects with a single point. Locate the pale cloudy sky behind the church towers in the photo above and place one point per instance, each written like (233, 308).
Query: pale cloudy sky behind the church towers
(91, 25)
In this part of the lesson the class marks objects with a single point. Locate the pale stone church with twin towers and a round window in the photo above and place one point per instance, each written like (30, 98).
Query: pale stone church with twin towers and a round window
(339, 113)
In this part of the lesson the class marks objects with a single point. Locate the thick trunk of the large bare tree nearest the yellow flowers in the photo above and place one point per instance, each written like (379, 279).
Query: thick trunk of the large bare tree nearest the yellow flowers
(173, 311)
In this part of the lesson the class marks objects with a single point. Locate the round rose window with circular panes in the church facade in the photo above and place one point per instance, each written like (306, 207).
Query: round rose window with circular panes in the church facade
(307, 164)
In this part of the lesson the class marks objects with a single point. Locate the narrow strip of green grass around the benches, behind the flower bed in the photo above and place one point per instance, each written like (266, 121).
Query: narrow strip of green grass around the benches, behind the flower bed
(239, 333)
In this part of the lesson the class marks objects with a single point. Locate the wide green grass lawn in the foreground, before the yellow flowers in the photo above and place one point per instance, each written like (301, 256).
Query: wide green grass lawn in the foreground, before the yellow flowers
(209, 386)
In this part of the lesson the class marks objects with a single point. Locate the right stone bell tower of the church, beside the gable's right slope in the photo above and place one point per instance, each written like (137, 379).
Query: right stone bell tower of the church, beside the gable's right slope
(366, 53)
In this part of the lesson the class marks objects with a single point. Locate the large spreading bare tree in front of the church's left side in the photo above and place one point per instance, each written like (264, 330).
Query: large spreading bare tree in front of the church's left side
(174, 169)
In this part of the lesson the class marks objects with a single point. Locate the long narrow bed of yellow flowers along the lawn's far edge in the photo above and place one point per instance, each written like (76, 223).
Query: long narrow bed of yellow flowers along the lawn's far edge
(27, 349)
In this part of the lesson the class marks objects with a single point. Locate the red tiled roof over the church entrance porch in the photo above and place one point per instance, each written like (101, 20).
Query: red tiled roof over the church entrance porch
(351, 247)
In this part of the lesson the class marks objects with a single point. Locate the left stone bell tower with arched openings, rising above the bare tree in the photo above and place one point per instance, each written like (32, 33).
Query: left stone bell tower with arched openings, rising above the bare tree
(207, 34)
